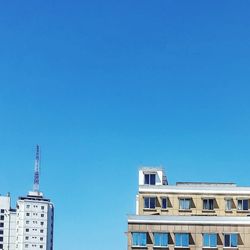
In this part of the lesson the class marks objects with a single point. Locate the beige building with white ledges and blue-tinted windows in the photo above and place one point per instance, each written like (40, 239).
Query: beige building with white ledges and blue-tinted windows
(188, 215)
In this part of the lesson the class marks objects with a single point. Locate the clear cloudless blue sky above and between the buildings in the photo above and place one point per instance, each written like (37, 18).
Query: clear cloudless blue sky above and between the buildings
(107, 86)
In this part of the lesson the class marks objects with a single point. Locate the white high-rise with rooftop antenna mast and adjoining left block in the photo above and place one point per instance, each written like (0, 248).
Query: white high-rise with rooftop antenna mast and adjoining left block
(30, 225)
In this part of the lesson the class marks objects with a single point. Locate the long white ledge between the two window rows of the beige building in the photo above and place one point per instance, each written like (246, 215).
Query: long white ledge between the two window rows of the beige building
(191, 220)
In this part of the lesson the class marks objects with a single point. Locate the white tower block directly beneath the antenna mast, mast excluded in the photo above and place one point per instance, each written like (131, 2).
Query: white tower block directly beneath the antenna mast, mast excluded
(34, 219)
